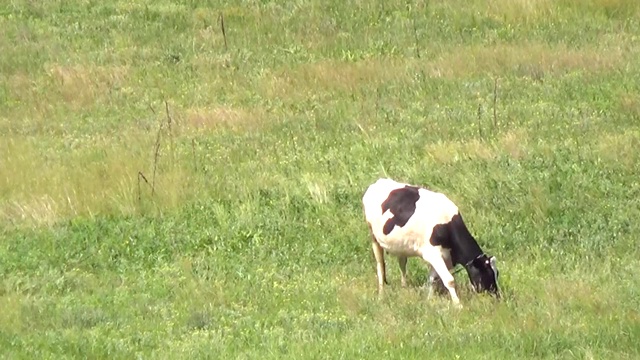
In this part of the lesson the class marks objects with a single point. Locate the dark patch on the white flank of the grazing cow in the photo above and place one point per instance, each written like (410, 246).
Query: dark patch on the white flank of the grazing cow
(402, 204)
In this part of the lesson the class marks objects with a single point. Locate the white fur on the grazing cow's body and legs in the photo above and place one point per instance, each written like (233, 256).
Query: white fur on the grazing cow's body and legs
(411, 240)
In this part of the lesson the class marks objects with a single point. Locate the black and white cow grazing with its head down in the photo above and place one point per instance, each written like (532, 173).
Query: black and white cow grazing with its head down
(408, 221)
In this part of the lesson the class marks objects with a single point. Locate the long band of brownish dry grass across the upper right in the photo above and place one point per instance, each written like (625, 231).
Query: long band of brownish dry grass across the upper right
(534, 60)
